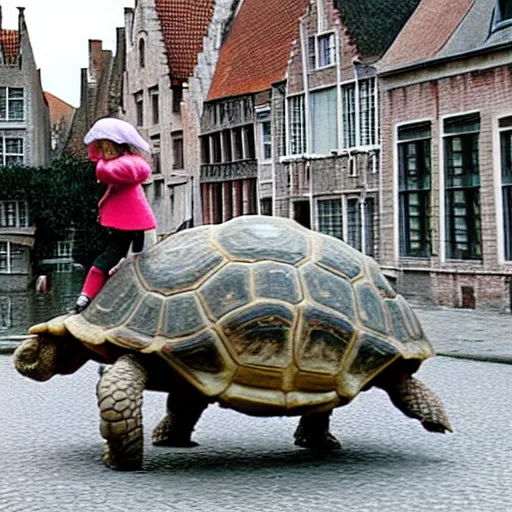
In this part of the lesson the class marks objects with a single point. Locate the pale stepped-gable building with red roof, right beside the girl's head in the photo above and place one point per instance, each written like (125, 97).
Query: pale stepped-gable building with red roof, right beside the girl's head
(163, 41)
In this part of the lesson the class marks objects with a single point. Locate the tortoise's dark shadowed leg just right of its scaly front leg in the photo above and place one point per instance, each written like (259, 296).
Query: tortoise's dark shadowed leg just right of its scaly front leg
(183, 412)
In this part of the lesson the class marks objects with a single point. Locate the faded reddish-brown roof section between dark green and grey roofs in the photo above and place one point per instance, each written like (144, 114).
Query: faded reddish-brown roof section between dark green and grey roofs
(426, 32)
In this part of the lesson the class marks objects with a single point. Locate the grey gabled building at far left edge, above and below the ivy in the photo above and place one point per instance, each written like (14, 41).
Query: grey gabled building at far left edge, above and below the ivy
(24, 140)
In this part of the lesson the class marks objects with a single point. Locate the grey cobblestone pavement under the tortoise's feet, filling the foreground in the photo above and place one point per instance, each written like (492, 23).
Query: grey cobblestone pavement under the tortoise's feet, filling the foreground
(51, 452)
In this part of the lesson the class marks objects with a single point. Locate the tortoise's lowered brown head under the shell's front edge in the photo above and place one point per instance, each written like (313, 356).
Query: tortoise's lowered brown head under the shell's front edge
(43, 356)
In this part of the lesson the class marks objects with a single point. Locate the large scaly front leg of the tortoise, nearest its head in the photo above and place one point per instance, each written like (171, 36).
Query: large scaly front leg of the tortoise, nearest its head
(119, 395)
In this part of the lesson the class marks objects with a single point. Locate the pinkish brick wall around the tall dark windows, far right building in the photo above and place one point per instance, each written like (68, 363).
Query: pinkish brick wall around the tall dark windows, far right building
(473, 85)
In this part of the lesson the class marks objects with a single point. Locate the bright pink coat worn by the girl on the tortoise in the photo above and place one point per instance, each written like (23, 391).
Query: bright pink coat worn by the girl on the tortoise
(124, 205)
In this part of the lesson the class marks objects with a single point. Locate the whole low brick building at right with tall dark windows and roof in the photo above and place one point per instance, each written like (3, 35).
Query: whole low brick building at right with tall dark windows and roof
(446, 125)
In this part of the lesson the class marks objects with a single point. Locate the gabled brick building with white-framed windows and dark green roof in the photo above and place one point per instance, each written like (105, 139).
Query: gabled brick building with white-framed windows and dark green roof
(325, 119)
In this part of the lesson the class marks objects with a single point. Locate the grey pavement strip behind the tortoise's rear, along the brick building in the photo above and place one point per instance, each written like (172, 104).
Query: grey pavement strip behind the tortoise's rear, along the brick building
(486, 336)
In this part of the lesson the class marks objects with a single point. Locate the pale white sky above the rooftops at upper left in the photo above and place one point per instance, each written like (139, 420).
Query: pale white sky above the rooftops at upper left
(59, 32)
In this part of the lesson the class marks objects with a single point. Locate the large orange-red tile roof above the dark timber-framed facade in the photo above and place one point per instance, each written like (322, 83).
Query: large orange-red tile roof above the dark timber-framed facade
(257, 49)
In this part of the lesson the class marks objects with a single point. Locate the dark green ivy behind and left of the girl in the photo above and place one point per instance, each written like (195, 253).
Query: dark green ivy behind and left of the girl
(59, 197)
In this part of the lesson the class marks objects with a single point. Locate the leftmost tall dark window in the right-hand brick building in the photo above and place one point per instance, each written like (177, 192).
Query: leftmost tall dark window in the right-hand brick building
(414, 182)
